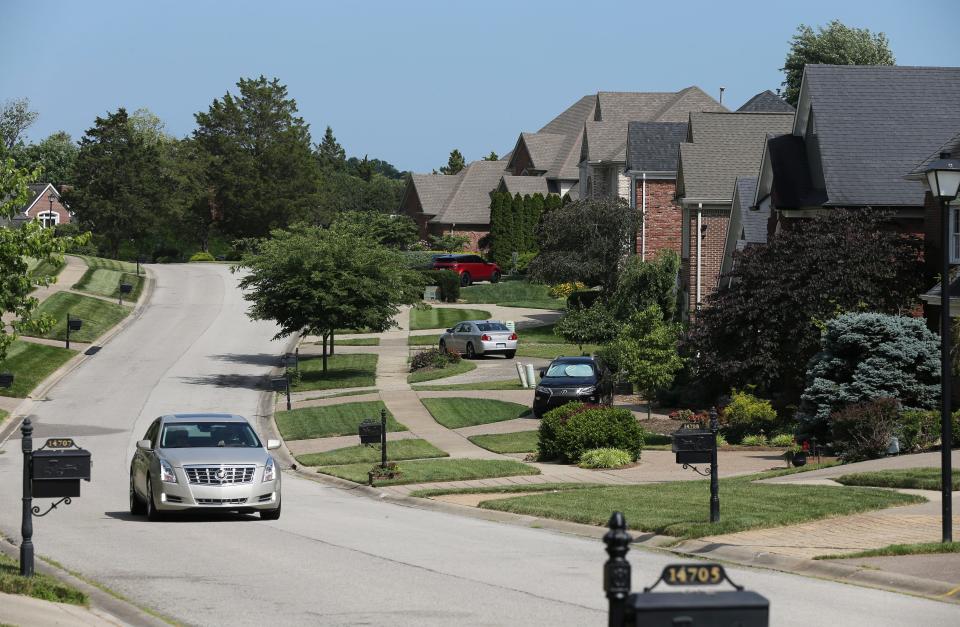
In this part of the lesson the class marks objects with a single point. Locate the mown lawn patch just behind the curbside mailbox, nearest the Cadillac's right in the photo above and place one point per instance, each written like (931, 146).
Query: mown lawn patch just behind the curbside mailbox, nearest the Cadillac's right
(322, 422)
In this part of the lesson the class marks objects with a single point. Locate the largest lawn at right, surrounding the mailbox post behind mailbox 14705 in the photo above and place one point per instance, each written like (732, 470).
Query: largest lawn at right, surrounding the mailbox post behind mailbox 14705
(681, 509)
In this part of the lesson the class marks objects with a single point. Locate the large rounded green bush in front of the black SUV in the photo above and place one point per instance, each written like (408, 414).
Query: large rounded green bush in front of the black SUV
(568, 431)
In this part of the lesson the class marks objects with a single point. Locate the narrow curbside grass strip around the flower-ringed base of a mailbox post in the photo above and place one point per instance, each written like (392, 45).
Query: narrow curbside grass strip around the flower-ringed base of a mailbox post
(431, 470)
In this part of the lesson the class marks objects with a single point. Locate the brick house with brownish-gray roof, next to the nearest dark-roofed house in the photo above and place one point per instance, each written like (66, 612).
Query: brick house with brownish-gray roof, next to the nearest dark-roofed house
(719, 147)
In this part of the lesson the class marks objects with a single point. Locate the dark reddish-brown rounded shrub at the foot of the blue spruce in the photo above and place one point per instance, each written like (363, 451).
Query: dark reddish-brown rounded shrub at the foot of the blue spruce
(863, 430)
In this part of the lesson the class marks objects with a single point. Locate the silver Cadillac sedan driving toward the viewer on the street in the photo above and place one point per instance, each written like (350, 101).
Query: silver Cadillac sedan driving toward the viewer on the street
(204, 462)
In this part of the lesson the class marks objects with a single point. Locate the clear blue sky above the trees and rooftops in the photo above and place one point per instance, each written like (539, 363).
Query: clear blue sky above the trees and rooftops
(408, 81)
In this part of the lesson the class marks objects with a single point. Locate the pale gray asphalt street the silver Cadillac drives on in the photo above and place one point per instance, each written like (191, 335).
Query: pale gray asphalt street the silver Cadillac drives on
(334, 557)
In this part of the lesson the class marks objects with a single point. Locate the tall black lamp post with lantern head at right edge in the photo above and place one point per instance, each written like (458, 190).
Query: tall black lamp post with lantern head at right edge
(942, 177)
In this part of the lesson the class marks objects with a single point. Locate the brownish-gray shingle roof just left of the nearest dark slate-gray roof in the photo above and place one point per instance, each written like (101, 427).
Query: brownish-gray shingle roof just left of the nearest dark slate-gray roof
(725, 146)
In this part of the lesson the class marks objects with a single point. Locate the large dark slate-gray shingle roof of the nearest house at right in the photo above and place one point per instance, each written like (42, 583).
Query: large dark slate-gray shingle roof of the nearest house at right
(876, 123)
